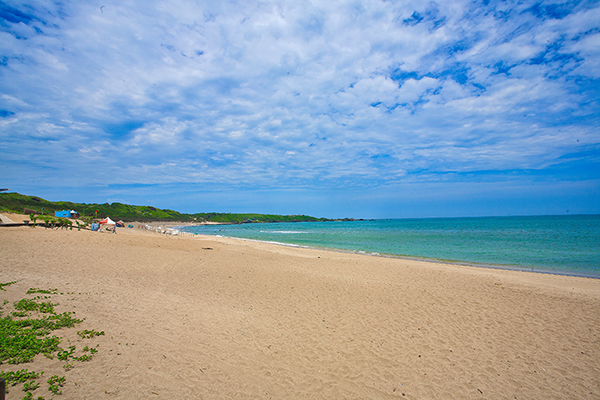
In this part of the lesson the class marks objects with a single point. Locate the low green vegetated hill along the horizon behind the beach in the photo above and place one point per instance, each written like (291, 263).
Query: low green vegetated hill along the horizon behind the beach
(22, 204)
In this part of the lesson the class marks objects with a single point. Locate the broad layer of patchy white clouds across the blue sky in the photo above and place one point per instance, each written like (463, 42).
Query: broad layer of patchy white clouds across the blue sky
(314, 94)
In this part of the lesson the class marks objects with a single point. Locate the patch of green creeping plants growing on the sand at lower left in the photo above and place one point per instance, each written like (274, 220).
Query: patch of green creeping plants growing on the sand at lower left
(27, 332)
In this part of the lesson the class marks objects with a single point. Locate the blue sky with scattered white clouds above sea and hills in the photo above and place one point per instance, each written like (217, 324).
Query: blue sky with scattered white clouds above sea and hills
(364, 109)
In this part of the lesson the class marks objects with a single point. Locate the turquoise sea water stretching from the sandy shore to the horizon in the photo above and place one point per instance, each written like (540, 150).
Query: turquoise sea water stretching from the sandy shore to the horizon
(555, 244)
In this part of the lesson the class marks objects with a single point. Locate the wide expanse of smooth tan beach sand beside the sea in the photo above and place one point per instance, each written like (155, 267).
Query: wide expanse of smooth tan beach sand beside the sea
(214, 318)
